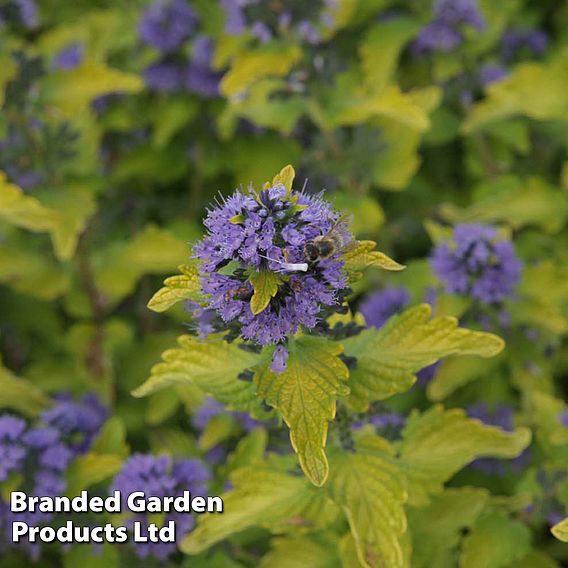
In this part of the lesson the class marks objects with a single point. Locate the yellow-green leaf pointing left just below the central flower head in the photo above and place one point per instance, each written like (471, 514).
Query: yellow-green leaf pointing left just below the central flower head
(213, 366)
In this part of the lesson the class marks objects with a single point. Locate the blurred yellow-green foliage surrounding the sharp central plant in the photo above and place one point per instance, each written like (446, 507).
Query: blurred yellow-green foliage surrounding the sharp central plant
(105, 177)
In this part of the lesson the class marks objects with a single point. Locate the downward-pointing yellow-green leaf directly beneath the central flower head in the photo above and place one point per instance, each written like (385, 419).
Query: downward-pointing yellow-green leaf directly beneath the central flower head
(305, 395)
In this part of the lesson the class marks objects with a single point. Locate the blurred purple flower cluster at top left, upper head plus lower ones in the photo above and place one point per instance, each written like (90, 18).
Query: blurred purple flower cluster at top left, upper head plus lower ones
(167, 26)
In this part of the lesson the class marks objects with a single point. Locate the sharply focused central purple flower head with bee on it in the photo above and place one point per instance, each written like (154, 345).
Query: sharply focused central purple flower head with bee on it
(251, 233)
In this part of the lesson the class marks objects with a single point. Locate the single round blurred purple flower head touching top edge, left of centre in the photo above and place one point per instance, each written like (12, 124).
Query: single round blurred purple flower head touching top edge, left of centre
(166, 24)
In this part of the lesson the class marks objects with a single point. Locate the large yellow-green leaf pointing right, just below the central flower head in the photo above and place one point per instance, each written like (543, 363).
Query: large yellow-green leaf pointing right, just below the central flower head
(388, 358)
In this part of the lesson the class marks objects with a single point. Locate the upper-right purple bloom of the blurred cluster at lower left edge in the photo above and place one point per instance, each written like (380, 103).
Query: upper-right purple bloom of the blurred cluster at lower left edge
(77, 421)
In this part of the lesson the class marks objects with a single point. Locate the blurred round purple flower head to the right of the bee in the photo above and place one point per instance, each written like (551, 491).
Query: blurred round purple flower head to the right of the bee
(476, 263)
